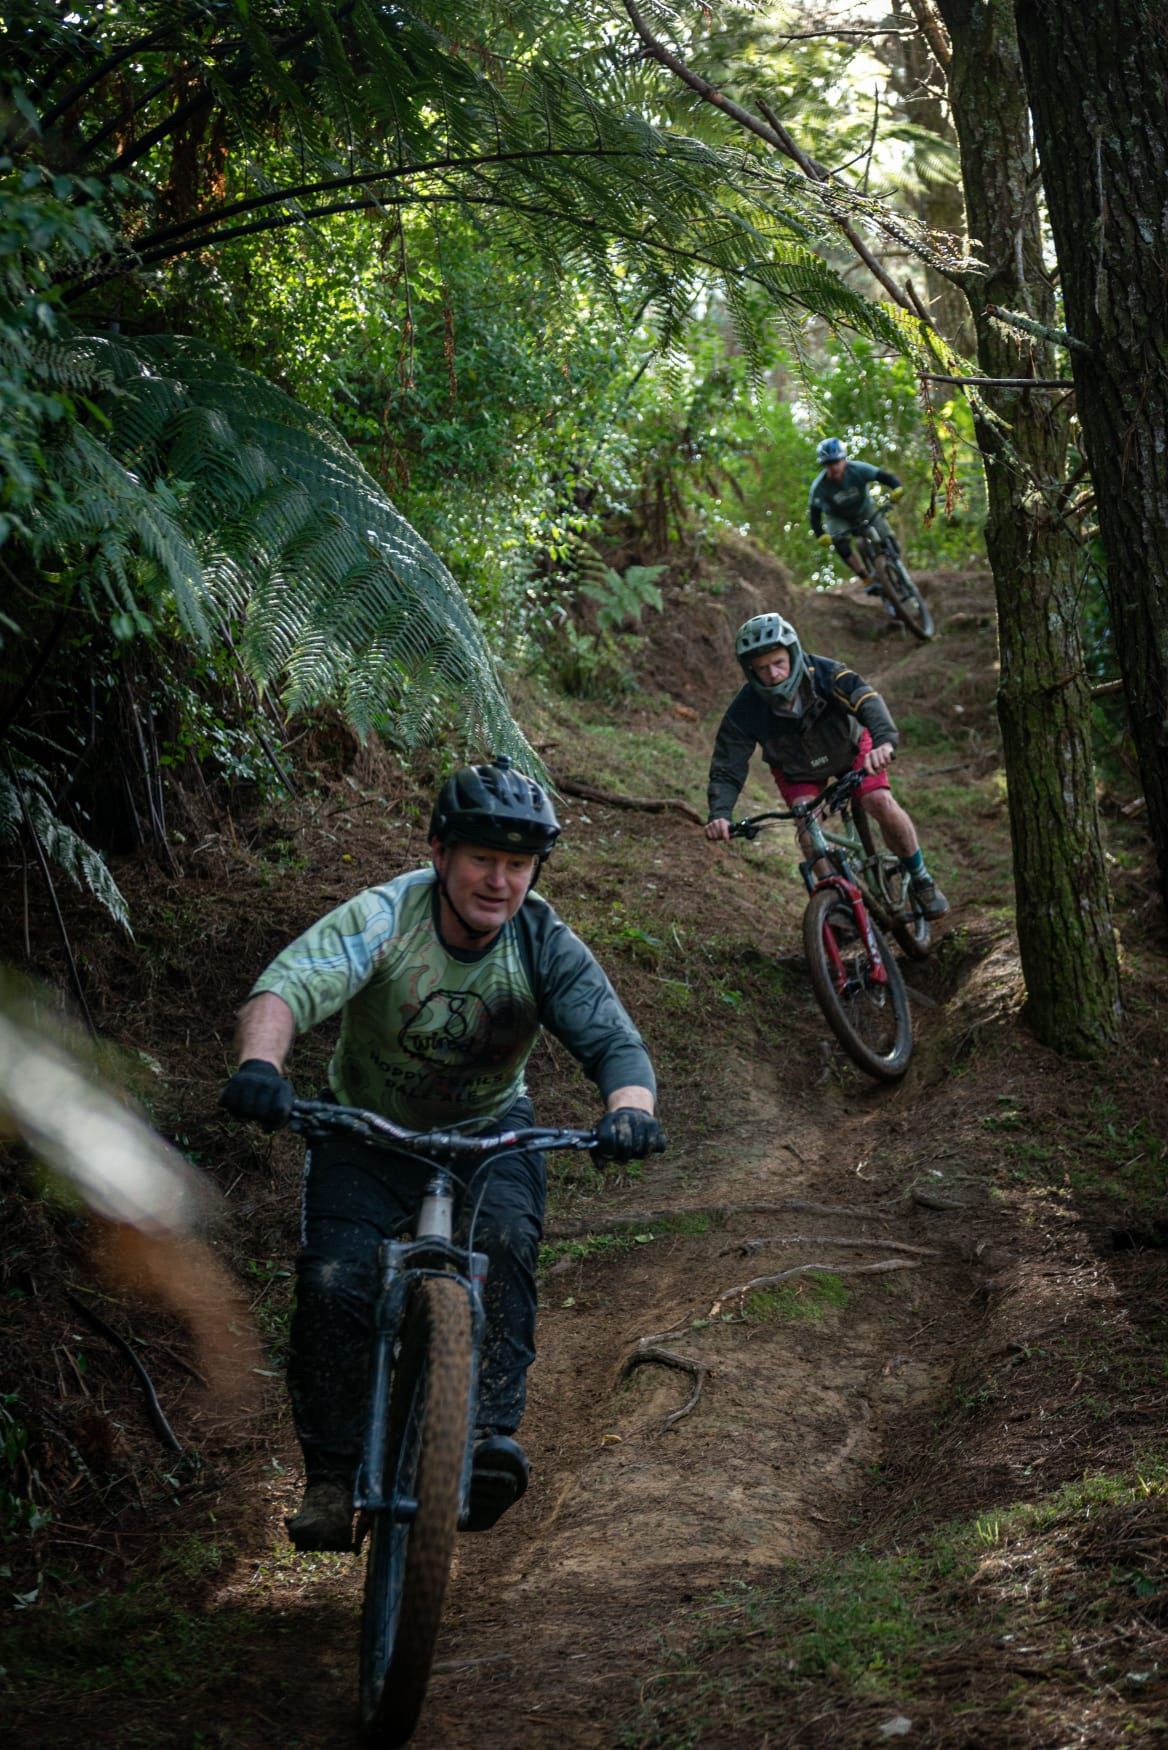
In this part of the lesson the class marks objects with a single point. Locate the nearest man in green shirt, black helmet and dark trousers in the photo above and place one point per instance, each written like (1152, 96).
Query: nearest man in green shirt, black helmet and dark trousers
(442, 979)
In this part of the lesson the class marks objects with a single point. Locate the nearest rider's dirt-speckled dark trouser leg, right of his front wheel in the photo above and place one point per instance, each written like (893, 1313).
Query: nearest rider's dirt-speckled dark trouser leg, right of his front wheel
(509, 1229)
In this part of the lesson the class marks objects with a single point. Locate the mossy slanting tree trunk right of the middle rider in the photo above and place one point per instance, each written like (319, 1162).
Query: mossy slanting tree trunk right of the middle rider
(1062, 899)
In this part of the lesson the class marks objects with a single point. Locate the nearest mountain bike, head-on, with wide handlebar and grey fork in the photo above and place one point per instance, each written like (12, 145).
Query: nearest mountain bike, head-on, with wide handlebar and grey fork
(414, 1481)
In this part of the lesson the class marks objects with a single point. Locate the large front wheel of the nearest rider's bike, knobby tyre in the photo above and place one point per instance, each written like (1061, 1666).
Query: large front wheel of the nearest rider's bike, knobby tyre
(412, 1539)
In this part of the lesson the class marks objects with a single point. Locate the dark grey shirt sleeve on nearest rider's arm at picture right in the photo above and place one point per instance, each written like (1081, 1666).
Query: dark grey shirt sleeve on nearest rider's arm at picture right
(579, 1005)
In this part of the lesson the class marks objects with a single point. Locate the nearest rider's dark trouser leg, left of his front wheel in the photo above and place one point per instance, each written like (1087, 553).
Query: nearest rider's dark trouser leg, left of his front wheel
(353, 1200)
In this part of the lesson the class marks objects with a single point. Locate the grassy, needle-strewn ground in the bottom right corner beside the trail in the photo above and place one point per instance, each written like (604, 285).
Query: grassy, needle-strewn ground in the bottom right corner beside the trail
(959, 1634)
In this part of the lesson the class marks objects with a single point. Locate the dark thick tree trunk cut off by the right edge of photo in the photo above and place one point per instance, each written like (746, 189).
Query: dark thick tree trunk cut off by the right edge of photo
(1097, 78)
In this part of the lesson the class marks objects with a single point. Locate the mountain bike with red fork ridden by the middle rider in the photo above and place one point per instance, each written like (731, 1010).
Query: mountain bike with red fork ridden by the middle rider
(854, 885)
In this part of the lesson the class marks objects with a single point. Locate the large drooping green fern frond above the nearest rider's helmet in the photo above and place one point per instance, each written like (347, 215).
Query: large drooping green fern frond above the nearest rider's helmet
(253, 508)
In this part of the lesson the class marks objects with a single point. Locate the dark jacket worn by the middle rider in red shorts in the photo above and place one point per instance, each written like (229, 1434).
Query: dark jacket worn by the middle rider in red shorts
(810, 746)
